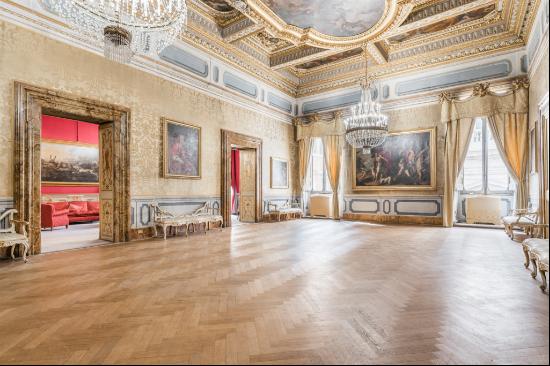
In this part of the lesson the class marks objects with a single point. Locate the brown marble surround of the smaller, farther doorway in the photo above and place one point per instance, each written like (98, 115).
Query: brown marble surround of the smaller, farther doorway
(231, 140)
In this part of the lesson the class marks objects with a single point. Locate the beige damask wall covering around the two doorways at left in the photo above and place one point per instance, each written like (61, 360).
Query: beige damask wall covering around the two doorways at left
(32, 58)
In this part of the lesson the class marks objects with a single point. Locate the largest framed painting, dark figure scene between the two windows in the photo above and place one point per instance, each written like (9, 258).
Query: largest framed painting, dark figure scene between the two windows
(405, 161)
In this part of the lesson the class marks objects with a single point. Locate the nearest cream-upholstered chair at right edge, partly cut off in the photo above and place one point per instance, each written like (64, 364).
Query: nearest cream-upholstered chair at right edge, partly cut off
(535, 250)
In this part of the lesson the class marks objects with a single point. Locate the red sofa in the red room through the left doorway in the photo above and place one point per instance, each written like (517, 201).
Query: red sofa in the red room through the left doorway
(54, 214)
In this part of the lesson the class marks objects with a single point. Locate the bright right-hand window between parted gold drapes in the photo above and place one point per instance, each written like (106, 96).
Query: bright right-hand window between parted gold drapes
(484, 171)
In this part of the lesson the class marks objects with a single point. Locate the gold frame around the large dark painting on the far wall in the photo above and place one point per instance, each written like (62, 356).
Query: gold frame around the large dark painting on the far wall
(433, 165)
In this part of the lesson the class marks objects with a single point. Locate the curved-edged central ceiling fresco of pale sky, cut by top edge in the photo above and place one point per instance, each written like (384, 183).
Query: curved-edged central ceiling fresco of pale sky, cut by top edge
(332, 17)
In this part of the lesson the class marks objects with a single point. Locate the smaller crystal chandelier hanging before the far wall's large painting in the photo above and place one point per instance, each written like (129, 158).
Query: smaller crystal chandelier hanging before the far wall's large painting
(367, 126)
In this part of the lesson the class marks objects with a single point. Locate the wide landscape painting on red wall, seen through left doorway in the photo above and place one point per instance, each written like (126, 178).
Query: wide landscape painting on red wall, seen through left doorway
(69, 163)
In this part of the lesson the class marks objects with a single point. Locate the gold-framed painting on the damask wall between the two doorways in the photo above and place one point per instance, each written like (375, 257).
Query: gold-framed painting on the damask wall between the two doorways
(182, 150)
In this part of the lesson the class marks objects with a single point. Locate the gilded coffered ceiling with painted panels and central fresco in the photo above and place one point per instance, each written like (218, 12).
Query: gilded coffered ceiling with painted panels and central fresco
(304, 47)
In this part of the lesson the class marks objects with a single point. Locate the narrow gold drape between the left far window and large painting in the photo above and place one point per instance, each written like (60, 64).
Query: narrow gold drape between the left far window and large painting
(333, 148)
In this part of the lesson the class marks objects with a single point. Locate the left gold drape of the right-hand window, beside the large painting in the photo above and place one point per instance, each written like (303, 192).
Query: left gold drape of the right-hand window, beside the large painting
(457, 140)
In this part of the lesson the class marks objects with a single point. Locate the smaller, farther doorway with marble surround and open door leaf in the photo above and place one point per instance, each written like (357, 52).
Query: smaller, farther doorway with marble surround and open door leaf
(242, 186)
